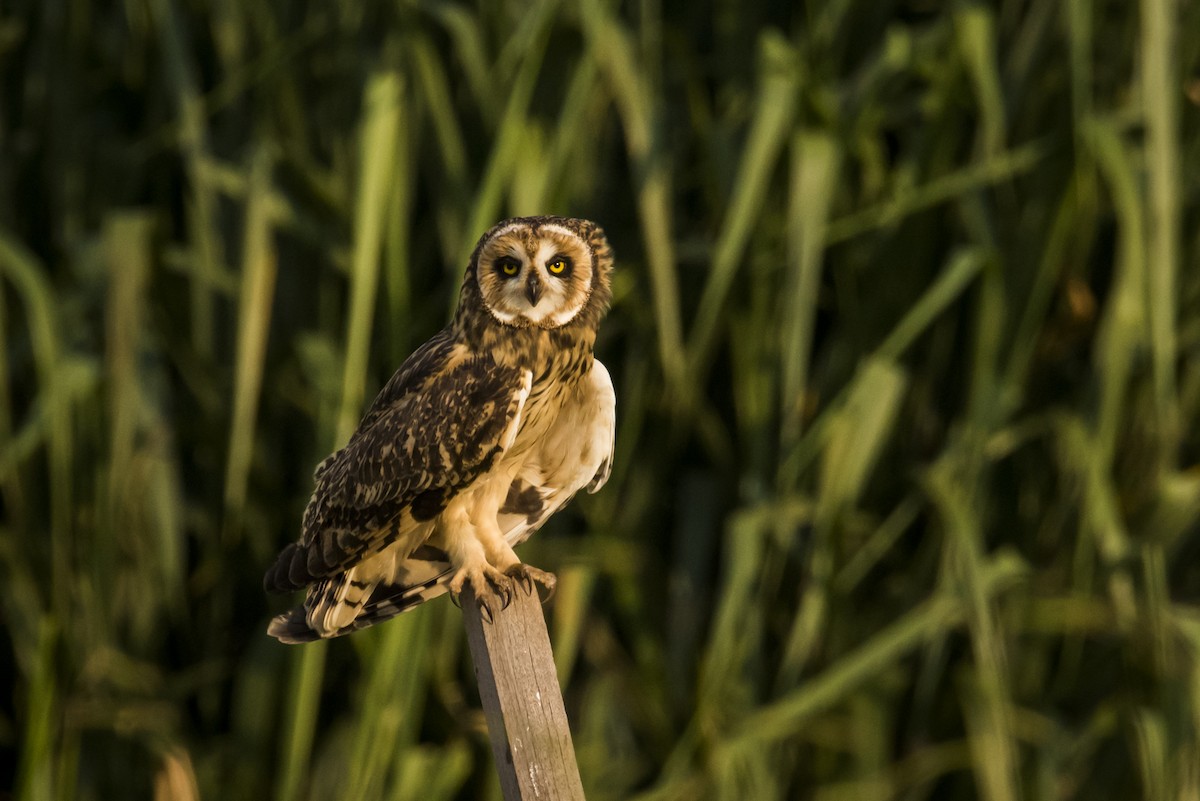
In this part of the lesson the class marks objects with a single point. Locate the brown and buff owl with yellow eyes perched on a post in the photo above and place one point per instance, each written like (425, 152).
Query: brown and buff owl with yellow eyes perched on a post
(483, 433)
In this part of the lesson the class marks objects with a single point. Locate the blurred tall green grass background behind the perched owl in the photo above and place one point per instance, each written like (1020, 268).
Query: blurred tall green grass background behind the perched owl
(907, 338)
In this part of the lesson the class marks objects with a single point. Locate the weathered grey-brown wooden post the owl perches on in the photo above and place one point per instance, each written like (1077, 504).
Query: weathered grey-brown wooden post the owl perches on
(523, 701)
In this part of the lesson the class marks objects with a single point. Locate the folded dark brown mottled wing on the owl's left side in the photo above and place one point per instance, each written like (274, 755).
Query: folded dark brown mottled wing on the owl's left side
(418, 448)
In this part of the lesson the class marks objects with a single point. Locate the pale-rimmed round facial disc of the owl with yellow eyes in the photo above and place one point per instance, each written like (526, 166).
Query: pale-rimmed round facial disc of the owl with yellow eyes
(536, 273)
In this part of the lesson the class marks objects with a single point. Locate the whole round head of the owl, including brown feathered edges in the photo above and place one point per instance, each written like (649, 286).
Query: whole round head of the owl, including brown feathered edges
(542, 273)
